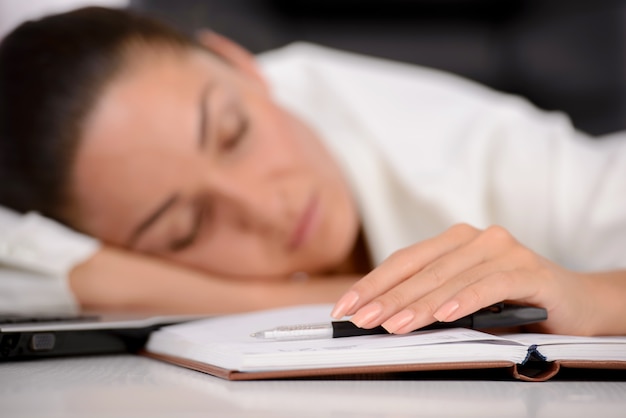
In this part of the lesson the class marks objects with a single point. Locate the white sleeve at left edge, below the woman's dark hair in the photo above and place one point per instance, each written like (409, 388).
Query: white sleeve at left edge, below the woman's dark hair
(36, 256)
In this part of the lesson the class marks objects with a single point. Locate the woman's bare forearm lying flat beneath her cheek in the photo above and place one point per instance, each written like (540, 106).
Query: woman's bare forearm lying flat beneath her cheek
(118, 280)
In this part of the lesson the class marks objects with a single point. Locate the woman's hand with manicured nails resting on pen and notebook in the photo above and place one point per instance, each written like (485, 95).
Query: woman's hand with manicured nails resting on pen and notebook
(465, 269)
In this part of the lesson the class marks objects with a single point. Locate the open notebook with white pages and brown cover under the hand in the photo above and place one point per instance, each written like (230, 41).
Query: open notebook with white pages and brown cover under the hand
(223, 346)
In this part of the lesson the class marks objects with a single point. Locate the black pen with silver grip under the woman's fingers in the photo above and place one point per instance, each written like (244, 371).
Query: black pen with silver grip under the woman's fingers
(495, 316)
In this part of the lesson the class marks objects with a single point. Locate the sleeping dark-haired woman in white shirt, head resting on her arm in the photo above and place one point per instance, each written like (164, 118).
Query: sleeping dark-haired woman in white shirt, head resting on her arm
(221, 182)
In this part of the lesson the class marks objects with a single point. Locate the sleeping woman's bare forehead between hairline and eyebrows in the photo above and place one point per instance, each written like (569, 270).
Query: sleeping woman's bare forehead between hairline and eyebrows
(139, 137)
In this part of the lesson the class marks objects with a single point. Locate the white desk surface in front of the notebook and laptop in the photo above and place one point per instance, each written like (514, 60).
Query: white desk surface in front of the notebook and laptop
(133, 386)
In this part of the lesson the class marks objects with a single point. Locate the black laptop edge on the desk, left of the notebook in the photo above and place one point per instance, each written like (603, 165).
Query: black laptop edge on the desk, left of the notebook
(30, 337)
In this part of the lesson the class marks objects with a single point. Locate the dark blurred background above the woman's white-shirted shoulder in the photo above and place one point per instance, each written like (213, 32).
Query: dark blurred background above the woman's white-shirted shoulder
(567, 55)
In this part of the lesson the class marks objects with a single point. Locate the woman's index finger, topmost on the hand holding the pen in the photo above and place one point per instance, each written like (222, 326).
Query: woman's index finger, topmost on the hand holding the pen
(399, 266)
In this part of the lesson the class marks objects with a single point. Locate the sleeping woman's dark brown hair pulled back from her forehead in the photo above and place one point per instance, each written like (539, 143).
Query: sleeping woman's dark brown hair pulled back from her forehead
(51, 74)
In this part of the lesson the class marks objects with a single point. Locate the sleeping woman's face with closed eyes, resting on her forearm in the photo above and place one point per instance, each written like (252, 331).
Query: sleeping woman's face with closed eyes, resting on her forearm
(187, 158)
